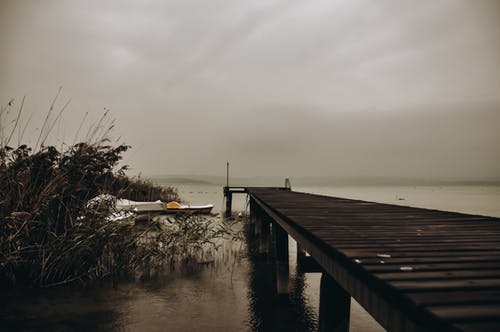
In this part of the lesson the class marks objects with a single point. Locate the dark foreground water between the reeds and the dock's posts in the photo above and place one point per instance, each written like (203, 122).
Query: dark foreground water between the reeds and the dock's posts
(232, 288)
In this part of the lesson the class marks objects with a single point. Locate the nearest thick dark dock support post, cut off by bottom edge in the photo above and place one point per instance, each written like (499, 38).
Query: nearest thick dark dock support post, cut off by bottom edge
(334, 306)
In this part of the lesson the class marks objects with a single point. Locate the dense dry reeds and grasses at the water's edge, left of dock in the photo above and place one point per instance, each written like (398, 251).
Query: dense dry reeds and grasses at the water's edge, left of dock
(49, 234)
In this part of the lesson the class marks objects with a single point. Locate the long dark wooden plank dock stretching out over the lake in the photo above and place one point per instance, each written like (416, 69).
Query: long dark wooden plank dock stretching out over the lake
(412, 269)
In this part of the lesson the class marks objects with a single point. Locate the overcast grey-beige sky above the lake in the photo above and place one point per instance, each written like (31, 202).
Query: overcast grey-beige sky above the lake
(405, 88)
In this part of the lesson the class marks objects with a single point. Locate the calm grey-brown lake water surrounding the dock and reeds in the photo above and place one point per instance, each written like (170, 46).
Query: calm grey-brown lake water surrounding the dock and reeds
(233, 294)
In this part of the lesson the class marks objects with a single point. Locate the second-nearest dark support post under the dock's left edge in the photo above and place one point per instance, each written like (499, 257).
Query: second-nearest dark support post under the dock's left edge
(282, 266)
